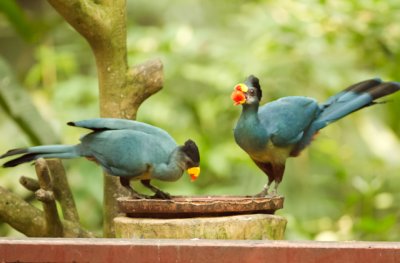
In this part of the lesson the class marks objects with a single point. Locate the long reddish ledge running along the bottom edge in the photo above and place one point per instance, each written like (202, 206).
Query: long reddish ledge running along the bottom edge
(204, 251)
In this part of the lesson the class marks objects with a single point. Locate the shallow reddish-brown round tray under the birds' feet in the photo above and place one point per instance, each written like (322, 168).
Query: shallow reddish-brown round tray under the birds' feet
(199, 206)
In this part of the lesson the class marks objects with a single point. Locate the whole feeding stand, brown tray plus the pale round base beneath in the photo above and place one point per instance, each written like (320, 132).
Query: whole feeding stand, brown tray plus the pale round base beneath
(202, 217)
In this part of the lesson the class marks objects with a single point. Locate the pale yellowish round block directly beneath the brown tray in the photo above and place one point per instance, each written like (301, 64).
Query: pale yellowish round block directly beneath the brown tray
(253, 227)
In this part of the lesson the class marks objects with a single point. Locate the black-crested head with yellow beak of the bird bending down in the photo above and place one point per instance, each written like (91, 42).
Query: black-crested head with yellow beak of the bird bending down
(191, 159)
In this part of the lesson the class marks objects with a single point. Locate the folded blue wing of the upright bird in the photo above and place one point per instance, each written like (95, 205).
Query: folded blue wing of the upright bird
(287, 118)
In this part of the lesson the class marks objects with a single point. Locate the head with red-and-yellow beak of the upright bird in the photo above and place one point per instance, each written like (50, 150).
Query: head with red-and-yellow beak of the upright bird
(248, 92)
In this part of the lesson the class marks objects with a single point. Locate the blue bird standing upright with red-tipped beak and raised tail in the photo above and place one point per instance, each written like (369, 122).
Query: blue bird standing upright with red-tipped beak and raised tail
(284, 127)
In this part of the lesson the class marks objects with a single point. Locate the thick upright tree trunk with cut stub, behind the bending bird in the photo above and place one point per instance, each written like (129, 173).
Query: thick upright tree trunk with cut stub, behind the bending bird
(121, 90)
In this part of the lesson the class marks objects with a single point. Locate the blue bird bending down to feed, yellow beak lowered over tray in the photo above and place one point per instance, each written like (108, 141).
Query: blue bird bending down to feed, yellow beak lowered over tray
(129, 149)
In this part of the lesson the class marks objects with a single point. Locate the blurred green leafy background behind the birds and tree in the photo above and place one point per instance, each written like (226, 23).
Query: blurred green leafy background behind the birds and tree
(343, 187)
